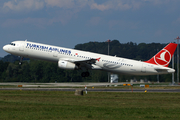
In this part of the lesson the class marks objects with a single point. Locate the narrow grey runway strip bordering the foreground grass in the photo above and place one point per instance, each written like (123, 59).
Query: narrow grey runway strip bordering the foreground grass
(93, 90)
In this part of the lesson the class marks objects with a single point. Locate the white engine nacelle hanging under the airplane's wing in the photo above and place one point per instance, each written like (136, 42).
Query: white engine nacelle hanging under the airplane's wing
(66, 65)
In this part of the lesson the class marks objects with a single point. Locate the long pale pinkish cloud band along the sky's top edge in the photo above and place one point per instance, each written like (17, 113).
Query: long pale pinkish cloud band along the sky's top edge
(32, 5)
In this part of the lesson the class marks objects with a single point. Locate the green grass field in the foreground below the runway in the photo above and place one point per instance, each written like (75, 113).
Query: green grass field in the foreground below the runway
(35, 105)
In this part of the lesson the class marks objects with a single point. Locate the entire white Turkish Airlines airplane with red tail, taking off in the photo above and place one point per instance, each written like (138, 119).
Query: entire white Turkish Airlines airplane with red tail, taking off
(80, 60)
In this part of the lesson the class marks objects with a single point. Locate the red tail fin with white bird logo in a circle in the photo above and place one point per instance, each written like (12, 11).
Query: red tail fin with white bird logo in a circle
(163, 57)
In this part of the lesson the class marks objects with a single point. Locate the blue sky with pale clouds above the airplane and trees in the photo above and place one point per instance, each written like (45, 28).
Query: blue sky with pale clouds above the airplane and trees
(69, 22)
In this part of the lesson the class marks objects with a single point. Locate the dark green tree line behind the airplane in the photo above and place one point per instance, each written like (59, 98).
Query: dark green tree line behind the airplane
(42, 71)
